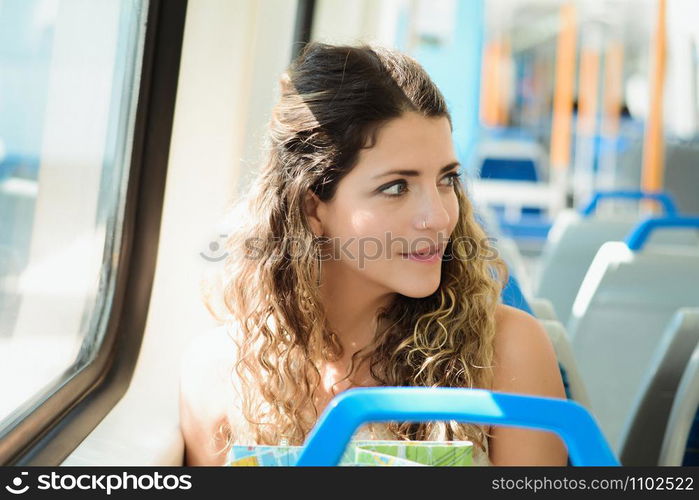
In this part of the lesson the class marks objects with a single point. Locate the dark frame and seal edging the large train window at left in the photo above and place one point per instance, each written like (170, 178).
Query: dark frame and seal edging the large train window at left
(53, 430)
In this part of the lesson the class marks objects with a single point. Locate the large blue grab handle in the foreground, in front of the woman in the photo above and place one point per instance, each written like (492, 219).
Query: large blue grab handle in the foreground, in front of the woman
(578, 429)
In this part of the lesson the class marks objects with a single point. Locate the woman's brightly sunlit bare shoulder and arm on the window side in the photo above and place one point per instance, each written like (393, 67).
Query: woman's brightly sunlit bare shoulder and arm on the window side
(206, 394)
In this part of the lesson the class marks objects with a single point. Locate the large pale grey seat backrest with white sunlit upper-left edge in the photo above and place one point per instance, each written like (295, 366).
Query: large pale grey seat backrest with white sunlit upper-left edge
(622, 309)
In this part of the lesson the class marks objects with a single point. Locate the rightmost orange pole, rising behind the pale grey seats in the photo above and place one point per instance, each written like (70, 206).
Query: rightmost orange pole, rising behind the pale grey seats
(653, 146)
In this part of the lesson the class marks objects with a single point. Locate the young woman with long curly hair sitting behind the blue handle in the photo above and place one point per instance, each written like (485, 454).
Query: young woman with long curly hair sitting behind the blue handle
(356, 261)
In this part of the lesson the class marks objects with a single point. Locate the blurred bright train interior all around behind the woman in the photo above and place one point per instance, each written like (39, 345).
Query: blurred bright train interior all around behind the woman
(127, 127)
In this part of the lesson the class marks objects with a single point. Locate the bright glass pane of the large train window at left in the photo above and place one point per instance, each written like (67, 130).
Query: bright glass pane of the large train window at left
(69, 73)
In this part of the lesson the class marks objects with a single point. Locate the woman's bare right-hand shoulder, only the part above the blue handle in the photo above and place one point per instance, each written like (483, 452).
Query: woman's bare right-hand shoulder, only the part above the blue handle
(525, 361)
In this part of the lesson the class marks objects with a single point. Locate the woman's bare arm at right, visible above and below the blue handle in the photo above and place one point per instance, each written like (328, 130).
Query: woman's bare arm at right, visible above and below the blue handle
(525, 363)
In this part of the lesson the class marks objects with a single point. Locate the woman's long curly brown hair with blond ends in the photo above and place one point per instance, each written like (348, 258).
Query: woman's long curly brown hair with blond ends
(333, 101)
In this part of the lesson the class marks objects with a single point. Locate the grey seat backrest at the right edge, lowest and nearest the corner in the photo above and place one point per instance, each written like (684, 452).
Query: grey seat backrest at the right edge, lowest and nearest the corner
(683, 415)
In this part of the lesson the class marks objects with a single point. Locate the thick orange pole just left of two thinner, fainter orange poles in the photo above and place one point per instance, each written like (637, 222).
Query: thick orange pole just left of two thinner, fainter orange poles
(561, 128)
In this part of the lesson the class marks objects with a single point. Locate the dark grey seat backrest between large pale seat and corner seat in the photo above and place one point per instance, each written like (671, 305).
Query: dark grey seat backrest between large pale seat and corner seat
(643, 433)
